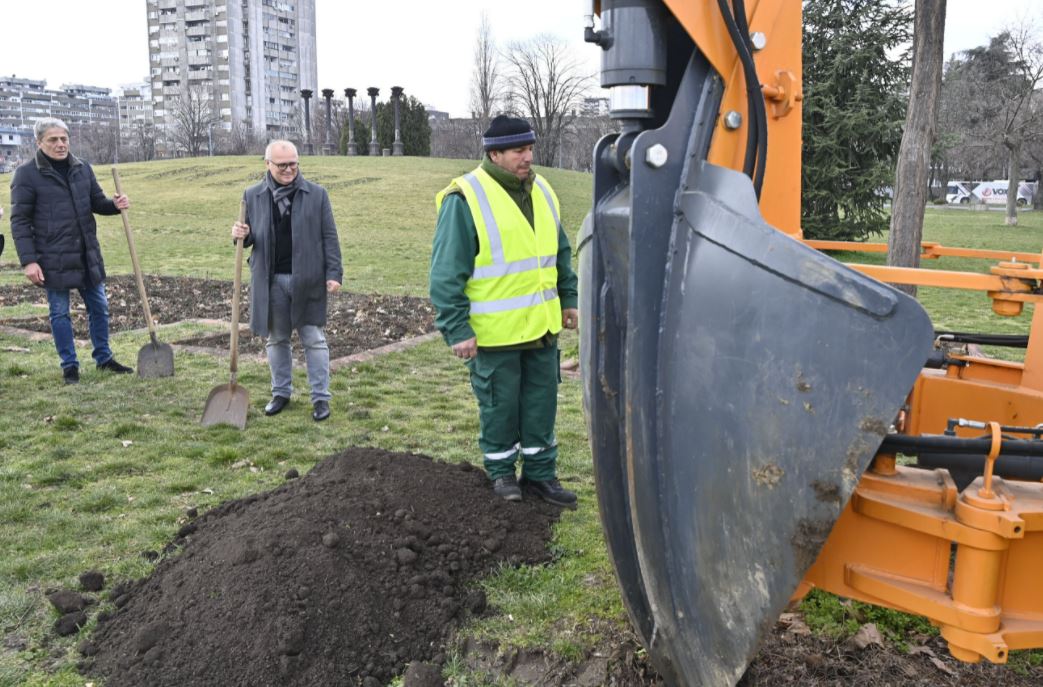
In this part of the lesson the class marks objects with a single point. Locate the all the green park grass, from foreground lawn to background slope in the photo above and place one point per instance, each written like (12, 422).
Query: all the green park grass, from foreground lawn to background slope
(94, 475)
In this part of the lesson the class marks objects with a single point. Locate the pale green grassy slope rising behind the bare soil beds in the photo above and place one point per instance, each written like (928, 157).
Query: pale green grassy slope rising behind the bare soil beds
(183, 210)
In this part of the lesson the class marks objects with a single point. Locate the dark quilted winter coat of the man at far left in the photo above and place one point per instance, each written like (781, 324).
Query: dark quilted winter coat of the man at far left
(53, 222)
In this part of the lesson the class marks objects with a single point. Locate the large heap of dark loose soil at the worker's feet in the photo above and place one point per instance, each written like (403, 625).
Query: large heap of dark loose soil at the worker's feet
(341, 578)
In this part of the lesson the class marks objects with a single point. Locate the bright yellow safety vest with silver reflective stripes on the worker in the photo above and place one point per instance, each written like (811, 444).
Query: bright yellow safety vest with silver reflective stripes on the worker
(514, 289)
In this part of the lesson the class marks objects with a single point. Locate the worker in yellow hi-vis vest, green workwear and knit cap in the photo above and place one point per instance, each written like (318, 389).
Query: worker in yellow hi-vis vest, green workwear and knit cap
(503, 285)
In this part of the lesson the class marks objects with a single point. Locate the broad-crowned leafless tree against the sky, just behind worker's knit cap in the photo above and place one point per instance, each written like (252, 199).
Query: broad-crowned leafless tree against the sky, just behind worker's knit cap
(548, 84)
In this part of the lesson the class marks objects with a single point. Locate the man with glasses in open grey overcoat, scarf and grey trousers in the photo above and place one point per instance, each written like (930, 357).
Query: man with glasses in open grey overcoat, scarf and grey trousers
(295, 263)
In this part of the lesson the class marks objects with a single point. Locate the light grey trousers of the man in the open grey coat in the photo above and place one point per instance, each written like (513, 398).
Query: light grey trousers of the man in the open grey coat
(280, 355)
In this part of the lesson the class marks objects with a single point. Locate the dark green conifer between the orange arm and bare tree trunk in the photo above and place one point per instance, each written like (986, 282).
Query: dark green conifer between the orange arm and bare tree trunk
(857, 72)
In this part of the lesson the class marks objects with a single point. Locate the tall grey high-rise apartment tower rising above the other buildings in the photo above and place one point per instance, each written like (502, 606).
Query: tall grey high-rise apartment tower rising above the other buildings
(248, 59)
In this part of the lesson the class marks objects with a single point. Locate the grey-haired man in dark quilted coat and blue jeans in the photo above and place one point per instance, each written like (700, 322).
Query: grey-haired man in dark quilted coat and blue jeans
(54, 200)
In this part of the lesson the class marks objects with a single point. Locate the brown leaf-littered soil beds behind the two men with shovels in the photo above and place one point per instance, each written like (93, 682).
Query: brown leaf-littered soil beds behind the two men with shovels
(356, 323)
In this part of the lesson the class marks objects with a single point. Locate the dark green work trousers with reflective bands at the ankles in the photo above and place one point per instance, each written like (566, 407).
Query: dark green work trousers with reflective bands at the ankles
(518, 402)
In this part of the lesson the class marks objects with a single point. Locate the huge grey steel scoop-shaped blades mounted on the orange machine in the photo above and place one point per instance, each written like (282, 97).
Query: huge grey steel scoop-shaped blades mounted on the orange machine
(737, 383)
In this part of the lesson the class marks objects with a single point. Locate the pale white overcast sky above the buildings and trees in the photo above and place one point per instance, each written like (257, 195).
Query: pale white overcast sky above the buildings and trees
(422, 45)
